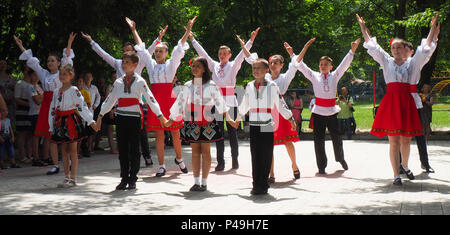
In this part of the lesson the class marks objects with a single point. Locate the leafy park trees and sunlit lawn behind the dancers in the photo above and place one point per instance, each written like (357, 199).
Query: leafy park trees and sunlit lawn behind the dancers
(44, 26)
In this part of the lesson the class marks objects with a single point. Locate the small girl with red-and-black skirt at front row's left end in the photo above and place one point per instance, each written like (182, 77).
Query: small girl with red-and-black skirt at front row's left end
(65, 119)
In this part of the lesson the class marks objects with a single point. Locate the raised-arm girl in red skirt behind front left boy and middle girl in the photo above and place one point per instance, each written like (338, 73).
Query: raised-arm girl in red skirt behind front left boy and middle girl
(161, 74)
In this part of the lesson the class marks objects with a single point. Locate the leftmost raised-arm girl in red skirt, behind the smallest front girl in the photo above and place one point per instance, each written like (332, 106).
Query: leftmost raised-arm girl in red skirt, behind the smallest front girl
(50, 82)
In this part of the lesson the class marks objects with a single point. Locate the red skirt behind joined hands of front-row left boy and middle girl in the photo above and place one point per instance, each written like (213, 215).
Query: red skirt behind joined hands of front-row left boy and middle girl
(165, 97)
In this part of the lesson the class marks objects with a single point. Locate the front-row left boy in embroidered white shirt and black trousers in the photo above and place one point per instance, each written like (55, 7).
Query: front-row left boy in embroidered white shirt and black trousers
(128, 91)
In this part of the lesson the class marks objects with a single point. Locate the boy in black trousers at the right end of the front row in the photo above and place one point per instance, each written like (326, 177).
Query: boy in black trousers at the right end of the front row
(261, 96)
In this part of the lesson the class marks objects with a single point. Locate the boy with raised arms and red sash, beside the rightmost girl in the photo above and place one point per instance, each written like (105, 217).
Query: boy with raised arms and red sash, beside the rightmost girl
(325, 109)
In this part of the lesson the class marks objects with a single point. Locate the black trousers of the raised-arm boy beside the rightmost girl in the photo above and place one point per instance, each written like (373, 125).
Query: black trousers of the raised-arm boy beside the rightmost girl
(320, 125)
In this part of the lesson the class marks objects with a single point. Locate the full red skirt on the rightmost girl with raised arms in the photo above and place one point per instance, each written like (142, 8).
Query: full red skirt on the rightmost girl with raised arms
(397, 113)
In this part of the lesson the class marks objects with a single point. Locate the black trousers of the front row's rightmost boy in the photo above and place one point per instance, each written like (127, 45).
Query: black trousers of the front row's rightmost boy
(261, 149)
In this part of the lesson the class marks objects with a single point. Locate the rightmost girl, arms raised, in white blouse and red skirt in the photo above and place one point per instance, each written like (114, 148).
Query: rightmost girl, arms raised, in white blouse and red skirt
(397, 115)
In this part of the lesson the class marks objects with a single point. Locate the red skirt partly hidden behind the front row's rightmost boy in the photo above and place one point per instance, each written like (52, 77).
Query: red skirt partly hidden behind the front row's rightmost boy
(283, 130)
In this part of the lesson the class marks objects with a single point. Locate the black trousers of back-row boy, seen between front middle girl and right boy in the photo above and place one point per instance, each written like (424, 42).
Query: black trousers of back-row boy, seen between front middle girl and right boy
(232, 134)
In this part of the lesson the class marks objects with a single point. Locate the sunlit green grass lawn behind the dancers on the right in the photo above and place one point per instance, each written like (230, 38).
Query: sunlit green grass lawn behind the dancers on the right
(364, 115)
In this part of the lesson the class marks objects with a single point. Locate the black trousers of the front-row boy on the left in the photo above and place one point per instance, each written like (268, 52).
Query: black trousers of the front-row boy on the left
(128, 133)
